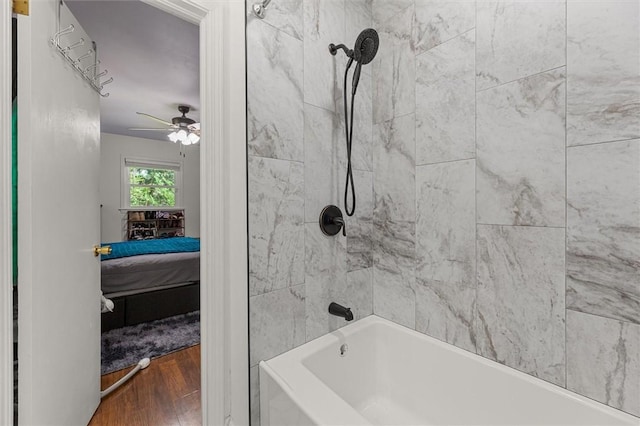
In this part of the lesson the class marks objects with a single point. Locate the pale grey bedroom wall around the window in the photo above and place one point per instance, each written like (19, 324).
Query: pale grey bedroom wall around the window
(112, 148)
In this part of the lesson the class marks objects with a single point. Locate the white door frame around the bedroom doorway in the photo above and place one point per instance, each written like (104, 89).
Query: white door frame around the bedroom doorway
(223, 209)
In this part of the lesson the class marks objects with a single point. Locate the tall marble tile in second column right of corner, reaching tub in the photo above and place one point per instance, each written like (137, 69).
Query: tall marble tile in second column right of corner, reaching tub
(446, 258)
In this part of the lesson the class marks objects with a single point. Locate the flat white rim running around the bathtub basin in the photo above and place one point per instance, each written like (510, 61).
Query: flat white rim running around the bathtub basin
(292, 380)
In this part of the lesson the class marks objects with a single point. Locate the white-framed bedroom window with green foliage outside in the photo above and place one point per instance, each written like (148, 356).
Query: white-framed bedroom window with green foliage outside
(148, 183)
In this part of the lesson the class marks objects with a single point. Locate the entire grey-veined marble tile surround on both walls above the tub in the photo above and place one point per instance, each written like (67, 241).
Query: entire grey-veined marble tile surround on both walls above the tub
(497, 169)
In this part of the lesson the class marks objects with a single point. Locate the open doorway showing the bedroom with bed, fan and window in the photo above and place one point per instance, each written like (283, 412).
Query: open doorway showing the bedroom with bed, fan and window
(149, 208)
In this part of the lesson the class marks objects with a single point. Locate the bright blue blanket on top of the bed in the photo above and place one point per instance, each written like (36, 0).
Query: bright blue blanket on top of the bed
(159, 246)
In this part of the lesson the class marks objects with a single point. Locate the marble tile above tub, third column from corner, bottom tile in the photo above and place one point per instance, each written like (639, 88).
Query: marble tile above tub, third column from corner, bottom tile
(520, 299)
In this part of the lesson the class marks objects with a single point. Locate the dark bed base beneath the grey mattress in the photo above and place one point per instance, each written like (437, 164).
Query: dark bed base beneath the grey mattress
(143, 307)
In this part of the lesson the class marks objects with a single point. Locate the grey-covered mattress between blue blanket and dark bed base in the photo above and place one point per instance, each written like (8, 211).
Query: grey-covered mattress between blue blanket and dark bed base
(149, 271)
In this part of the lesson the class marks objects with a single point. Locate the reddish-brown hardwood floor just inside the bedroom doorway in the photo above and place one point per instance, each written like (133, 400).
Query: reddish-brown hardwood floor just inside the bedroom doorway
(165, 393)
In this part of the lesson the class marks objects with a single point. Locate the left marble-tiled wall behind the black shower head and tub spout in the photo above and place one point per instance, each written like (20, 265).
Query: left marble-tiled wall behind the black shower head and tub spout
(297, 166)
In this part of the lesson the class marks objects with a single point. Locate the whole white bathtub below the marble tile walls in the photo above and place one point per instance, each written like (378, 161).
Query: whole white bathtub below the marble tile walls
(391, 375)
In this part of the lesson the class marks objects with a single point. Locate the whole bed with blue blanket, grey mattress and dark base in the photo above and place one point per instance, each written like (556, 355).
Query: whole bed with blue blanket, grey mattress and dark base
(150, 279)
